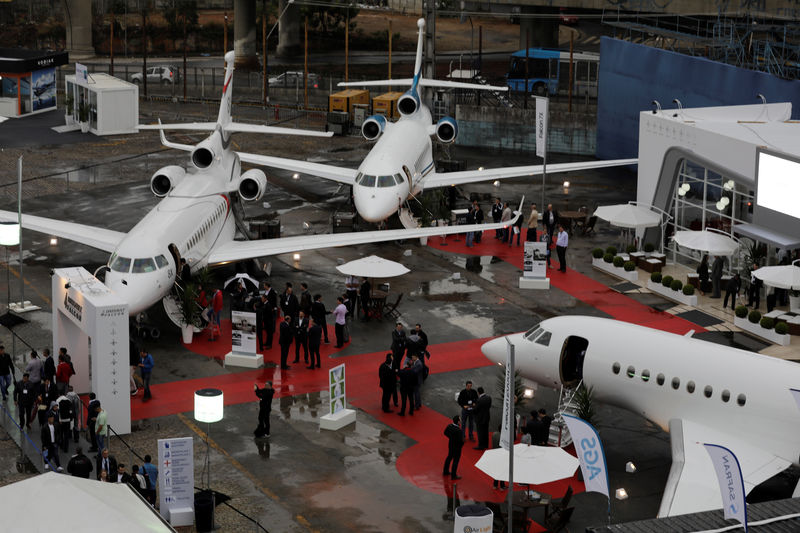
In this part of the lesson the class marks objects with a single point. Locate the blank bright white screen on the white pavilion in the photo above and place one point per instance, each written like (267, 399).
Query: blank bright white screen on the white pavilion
(778, 182)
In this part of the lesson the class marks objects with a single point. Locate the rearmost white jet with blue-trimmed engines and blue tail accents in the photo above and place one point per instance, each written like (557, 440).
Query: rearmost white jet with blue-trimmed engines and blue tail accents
(400, 165)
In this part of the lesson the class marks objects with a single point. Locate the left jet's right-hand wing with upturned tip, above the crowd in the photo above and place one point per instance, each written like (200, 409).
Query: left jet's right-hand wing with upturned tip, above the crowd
(240, 250)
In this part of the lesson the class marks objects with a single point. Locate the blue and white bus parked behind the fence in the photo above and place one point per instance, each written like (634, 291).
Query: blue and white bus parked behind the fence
(548, 72)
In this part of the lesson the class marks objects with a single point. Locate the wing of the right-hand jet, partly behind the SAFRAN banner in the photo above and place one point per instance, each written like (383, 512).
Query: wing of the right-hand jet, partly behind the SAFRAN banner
(692, 484)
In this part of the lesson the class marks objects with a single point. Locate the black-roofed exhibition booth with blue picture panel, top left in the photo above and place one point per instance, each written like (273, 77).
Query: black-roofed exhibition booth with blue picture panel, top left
(28, 81)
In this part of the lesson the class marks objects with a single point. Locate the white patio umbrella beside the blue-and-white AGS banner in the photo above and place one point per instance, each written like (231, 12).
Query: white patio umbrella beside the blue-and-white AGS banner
(533, 465)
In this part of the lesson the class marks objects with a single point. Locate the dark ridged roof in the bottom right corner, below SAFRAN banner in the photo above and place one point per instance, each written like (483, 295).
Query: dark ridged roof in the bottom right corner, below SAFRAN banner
(687, 523)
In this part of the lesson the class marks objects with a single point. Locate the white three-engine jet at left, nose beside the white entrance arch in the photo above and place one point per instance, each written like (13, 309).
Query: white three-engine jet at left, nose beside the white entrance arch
(194, 219)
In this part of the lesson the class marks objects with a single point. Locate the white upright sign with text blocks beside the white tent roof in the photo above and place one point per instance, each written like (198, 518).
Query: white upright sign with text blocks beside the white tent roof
(176, 478)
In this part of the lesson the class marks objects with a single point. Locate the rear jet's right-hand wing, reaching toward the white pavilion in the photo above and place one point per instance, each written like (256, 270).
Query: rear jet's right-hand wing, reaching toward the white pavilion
(447, 179)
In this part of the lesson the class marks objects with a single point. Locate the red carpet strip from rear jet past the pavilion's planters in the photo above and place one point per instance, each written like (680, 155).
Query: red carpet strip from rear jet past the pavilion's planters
(584, 288)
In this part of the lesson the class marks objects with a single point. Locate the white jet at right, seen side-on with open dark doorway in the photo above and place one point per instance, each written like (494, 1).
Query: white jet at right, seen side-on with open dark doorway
(699, 391)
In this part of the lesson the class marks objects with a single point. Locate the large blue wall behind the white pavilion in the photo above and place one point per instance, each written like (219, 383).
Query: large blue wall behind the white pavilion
(633, 75)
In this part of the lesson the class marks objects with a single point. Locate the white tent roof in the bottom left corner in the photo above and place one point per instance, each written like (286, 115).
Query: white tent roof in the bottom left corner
(58, 502)
